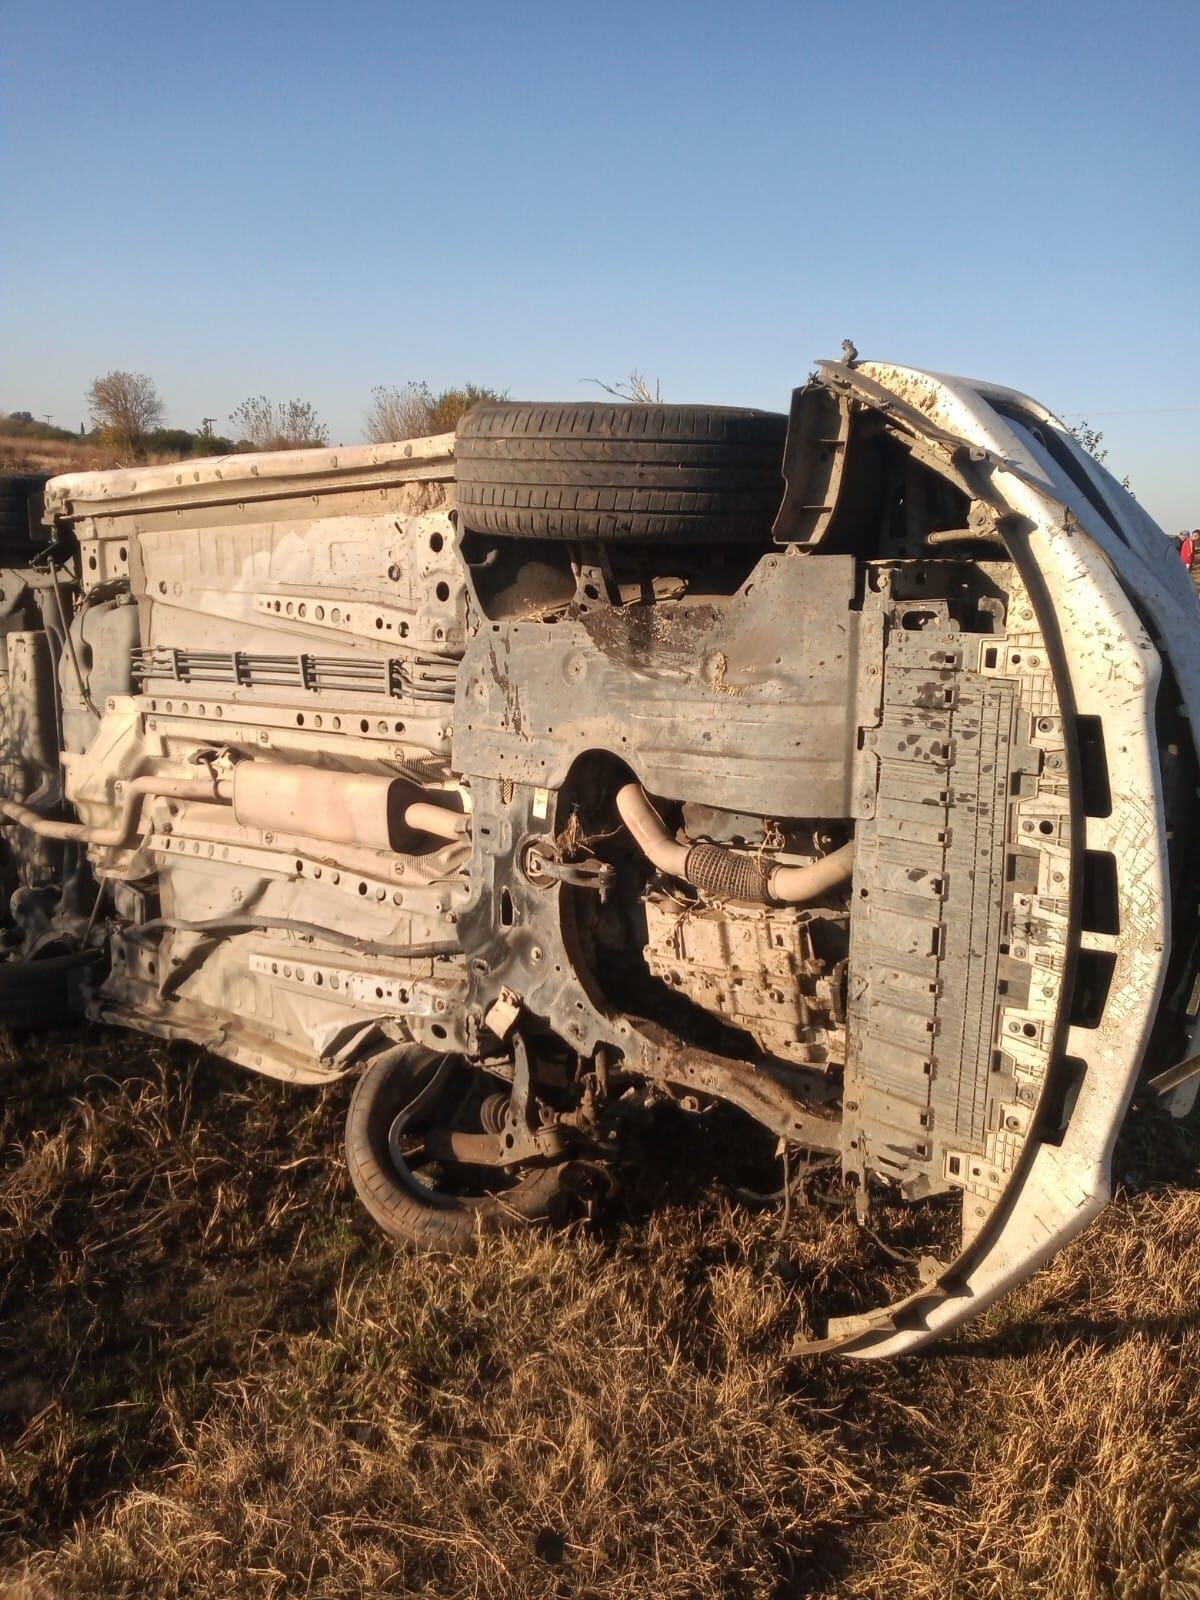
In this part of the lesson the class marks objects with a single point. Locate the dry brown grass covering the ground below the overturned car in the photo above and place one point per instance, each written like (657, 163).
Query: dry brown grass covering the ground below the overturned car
(218, 1382)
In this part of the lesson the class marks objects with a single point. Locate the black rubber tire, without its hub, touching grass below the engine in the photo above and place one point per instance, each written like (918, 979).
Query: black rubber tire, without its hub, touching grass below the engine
(404, 1210)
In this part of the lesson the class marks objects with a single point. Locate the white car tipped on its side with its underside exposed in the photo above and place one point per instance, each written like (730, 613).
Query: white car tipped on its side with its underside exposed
(838, 767)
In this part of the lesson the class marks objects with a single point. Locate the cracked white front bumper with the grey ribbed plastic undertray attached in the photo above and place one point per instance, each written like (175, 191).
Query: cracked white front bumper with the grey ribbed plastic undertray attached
(1073, 999)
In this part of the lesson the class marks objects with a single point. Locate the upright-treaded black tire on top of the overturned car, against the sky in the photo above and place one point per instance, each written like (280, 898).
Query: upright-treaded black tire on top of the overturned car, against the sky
(631, 473)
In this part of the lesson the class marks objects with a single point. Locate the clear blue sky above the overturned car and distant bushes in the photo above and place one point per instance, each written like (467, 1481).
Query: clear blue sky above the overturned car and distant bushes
(298, 199)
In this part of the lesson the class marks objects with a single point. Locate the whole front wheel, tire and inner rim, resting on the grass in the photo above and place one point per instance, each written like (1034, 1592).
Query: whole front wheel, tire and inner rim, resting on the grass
(399, 1166)
